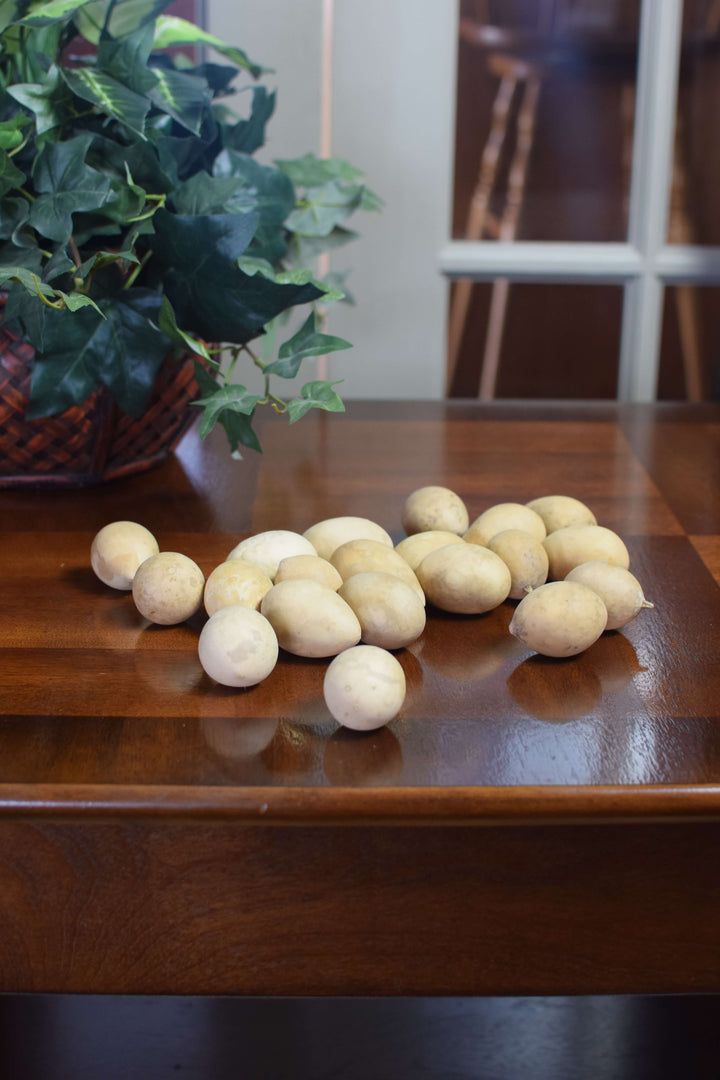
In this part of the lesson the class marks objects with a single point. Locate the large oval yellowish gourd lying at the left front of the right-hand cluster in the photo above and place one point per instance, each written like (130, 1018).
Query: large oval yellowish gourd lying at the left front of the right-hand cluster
(465, 578)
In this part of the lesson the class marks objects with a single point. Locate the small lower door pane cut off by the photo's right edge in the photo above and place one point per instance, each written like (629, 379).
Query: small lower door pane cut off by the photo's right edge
(689, 363)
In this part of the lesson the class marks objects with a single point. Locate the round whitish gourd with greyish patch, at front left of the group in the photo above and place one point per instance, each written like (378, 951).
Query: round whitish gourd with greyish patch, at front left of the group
(238, 646)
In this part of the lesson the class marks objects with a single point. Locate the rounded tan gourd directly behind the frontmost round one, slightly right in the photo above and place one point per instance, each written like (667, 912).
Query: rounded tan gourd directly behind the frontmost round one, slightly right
(390, 612)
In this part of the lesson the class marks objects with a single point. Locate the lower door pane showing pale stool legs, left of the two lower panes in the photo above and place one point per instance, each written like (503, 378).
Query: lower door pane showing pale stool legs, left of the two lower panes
(532, 341)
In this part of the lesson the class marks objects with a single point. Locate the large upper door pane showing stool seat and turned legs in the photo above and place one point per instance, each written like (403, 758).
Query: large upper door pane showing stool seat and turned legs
(545, 119)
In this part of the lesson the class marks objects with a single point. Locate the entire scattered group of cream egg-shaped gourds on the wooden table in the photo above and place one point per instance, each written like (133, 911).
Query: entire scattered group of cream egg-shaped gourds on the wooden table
(344, 591)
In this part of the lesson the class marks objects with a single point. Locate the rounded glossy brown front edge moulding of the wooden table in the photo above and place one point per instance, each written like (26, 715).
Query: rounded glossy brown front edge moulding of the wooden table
(590, 805)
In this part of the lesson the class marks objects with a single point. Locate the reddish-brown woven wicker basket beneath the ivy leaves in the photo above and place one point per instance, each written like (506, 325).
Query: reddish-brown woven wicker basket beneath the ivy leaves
(92, 442)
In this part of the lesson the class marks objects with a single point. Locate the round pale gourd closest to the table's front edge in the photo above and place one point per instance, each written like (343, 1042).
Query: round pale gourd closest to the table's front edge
(364, 687)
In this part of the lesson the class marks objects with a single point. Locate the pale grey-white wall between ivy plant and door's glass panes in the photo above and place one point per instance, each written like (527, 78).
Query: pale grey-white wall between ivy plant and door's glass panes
(393, 115)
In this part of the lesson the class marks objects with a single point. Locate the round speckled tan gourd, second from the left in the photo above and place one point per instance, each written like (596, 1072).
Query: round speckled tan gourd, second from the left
(169, 588)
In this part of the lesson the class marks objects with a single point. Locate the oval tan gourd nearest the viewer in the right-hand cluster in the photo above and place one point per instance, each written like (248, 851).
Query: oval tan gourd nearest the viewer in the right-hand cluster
(560, 619)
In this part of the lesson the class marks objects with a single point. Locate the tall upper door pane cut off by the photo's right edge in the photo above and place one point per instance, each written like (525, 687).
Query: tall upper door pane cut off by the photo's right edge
(695, 205)
